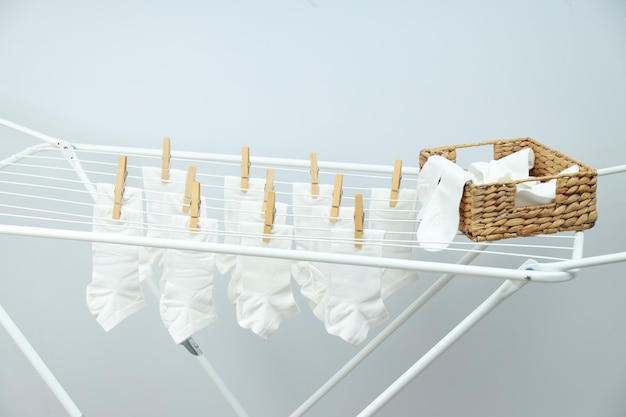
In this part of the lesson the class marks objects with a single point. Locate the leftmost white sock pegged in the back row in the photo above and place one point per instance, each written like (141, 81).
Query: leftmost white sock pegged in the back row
(163, 200)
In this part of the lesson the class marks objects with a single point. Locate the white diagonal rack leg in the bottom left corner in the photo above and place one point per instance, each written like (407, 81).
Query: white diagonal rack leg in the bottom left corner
(39, 365)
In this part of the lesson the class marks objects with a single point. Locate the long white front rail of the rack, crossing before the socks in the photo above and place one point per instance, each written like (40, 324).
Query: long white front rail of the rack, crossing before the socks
(424, 266)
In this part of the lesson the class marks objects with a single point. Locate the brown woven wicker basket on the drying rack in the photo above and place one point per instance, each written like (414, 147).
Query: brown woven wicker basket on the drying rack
(488, 211)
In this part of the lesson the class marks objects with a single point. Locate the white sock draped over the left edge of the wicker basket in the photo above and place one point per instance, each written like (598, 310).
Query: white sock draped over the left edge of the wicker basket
(440, 216)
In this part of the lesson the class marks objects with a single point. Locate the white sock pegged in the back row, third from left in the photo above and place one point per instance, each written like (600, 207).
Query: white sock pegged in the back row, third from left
(302, 206)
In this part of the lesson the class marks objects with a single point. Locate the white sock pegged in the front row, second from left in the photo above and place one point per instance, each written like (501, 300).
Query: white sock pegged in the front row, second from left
(186, 303)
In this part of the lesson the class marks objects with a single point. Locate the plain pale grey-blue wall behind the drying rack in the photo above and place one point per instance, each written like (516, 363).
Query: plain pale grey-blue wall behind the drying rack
(356, 81)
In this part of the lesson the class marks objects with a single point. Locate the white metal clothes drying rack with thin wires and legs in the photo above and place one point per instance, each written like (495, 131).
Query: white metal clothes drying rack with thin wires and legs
(48, 191)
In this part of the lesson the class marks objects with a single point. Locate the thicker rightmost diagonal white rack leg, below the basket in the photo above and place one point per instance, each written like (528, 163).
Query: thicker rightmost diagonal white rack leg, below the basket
(502, 293)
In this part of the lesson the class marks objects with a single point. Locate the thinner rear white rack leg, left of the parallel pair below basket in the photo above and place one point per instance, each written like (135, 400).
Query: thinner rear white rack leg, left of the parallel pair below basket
(383, 335)
